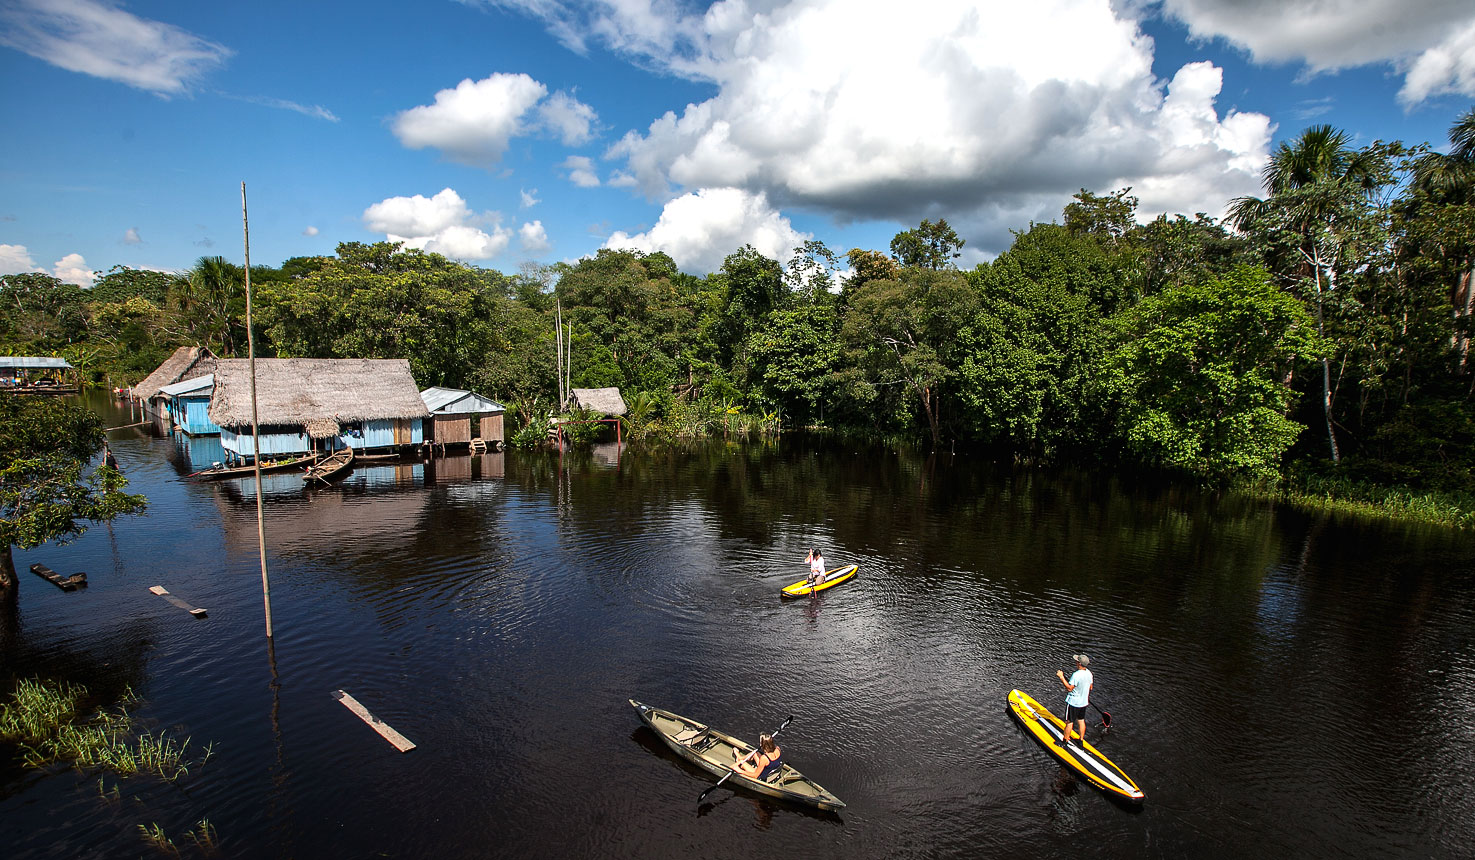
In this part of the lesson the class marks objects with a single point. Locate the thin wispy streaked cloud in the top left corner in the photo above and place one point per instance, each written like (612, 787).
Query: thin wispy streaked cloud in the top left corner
(103, 41)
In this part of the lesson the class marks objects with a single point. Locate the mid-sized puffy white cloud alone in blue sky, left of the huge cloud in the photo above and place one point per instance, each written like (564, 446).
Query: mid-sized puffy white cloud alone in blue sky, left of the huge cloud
(474, 123)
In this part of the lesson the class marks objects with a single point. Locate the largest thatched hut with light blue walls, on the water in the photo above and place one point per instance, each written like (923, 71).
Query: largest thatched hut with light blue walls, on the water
(318, 405)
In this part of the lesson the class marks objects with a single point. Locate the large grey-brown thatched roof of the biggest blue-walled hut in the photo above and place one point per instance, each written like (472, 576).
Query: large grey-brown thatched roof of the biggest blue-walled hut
(316, 393)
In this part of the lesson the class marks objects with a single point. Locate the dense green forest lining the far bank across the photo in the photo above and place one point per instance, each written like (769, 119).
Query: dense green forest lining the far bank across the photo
(1318, 339)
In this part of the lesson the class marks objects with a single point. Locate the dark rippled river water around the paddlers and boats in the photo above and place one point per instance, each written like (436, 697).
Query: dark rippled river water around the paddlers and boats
(1281, 685)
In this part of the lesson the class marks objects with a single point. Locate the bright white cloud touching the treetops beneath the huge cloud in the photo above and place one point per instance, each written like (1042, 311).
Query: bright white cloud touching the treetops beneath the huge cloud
(703, 228)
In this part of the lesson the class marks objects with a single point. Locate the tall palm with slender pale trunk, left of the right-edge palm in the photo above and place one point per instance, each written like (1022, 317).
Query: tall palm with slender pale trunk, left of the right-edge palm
(1311, 184)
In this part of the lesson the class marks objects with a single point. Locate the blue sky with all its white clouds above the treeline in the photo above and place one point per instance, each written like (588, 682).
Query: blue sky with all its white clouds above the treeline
(514, 132)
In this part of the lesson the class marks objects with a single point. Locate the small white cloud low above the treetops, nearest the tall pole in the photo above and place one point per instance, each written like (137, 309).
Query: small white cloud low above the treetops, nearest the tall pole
(442, 223)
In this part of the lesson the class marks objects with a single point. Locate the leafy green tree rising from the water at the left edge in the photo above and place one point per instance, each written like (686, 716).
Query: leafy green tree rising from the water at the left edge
(48, 493)
